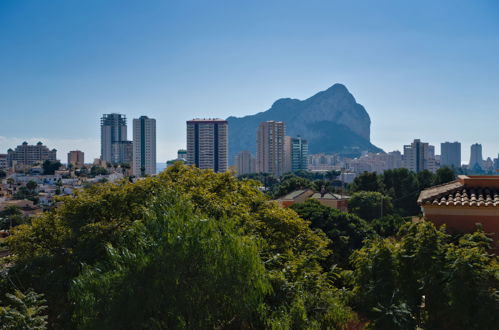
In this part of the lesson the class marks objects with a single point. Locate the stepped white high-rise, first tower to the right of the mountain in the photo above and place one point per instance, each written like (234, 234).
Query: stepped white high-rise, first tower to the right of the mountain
(419, 156)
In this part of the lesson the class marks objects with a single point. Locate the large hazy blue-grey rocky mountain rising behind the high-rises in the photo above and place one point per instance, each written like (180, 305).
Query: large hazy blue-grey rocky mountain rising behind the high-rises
(331, 120)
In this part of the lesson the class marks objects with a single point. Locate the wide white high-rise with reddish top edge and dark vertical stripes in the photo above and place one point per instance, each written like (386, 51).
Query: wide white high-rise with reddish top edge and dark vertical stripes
(207, 144)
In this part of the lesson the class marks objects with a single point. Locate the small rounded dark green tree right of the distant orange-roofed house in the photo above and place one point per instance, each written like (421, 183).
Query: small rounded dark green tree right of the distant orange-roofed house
(370, 205)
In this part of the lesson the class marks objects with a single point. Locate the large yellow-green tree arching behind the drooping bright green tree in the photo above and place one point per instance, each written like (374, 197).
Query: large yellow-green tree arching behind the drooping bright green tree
(49, 252)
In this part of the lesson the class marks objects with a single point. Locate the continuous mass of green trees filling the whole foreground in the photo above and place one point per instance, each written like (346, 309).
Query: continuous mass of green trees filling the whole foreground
(191, 249)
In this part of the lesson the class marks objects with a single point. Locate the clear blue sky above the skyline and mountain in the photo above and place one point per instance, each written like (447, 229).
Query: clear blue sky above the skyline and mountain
(422, 69)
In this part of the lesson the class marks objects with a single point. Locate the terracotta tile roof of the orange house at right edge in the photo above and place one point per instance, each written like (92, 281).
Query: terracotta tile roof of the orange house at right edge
(457, 194)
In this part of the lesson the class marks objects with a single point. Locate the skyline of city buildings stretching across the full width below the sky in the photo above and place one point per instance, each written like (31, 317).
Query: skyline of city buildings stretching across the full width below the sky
(276, 152)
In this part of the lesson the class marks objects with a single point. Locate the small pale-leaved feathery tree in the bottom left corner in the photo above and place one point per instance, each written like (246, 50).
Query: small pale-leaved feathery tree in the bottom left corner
(23, 311)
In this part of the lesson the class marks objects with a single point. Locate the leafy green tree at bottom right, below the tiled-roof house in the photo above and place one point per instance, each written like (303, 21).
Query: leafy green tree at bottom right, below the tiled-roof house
(427, 278)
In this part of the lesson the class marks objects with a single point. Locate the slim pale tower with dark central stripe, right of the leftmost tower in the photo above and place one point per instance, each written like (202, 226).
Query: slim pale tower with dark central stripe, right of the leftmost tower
(144, 146)
